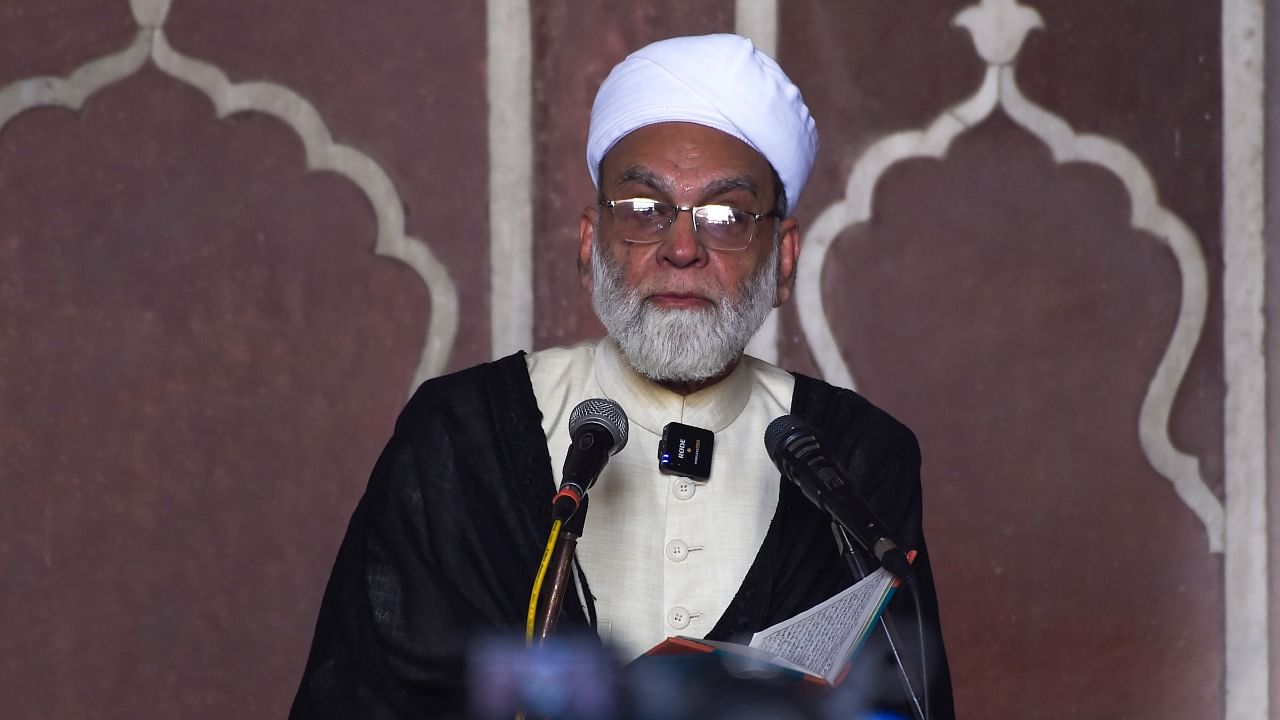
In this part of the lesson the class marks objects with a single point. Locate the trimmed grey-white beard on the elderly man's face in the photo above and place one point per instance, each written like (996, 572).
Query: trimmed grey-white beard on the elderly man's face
(682, 345)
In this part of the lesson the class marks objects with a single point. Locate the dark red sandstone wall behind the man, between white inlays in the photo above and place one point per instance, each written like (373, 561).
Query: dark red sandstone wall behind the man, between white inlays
(202, 356)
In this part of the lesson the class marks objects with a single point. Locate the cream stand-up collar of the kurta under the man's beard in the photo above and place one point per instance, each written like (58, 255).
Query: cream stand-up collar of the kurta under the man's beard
(652, 407)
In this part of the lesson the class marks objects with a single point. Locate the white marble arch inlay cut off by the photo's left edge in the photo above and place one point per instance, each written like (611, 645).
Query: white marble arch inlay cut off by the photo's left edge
(295, 112)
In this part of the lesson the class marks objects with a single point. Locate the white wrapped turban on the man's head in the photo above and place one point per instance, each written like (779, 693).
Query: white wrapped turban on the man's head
(720, 81)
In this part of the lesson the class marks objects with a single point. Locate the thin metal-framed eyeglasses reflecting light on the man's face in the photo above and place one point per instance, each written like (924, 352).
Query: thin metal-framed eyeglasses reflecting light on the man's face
(717, 227)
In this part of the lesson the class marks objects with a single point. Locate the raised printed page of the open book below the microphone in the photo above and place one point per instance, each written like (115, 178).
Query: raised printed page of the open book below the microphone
(822, 639)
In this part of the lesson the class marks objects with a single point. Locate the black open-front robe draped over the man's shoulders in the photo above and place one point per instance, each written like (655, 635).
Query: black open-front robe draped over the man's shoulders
(446, 541)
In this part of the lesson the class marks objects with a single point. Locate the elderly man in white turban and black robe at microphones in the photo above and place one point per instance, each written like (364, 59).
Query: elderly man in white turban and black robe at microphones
(700, 149)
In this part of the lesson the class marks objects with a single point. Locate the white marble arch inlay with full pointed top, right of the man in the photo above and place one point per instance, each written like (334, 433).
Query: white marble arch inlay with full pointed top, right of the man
(999, 29)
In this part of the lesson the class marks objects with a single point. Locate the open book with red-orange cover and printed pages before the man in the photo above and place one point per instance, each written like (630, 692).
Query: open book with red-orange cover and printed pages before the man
(820, 644)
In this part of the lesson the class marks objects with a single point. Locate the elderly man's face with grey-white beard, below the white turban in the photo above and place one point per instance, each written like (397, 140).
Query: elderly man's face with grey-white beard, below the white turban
(676, 295)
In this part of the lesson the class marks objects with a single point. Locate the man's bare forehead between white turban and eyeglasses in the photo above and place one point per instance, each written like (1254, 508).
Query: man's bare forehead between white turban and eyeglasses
(687, 158)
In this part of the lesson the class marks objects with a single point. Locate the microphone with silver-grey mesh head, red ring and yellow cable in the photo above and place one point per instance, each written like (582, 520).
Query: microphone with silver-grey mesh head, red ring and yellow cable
(597, 430)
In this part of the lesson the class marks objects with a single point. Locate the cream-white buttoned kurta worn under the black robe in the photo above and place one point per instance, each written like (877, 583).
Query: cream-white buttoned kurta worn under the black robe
(665, 555)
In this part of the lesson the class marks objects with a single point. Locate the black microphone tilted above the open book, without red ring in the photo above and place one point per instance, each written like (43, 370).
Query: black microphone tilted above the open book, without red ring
(794, 448)
